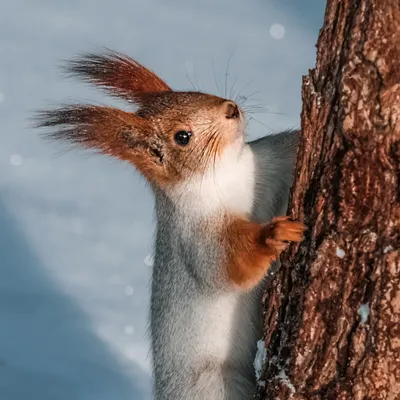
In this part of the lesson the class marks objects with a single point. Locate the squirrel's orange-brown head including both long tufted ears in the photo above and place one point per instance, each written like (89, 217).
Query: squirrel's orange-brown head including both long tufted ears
(172, 135)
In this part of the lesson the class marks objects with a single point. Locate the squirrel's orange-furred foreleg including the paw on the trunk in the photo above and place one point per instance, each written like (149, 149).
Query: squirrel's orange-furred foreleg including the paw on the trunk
(252, 247)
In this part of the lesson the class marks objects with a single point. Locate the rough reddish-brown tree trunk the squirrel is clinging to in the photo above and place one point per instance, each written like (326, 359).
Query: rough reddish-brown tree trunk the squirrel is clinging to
(332, 314)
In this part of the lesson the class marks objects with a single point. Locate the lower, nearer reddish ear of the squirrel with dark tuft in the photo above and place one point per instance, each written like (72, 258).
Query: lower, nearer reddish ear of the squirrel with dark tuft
(109, 131)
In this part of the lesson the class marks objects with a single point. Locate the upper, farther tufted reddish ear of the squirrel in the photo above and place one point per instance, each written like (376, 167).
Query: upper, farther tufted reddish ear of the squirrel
(119, 74)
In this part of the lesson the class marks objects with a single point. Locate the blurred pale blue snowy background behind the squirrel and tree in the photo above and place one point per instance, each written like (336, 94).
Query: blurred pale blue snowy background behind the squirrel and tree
(76, 231)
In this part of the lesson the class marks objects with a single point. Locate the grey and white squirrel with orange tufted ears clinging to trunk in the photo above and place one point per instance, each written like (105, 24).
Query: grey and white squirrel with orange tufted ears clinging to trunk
(219, 205)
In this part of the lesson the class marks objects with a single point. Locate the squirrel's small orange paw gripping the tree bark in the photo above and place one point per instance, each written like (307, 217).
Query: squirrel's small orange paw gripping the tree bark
(280, 232)
